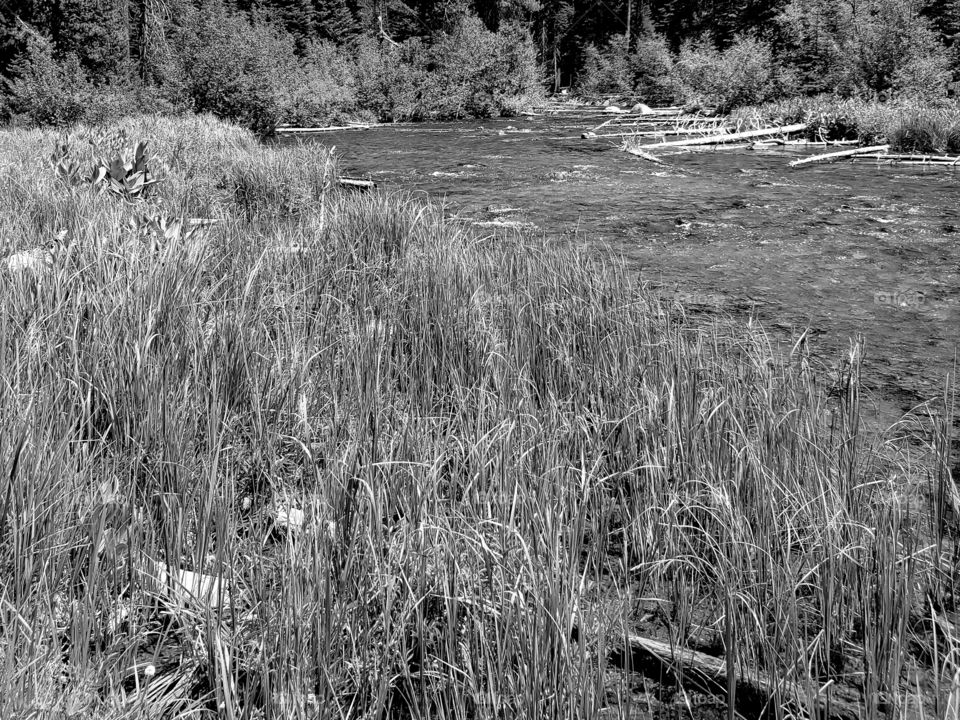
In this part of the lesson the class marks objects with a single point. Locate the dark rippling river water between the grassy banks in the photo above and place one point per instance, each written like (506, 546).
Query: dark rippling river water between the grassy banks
(837, 249)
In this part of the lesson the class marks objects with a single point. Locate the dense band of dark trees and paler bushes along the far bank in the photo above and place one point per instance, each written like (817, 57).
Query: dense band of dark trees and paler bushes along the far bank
(265, 62)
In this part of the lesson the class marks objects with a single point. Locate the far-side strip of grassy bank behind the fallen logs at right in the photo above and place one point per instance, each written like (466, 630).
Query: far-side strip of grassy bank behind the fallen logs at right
(907, 126)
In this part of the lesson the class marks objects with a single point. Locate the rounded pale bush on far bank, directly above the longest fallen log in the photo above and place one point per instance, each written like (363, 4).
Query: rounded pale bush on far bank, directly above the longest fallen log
(743, 74)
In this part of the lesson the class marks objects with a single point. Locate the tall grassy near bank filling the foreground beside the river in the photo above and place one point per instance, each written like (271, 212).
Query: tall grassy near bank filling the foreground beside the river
(415, 472)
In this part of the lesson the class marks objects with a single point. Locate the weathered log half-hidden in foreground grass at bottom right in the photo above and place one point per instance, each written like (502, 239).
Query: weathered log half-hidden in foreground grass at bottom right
(753, 688)
